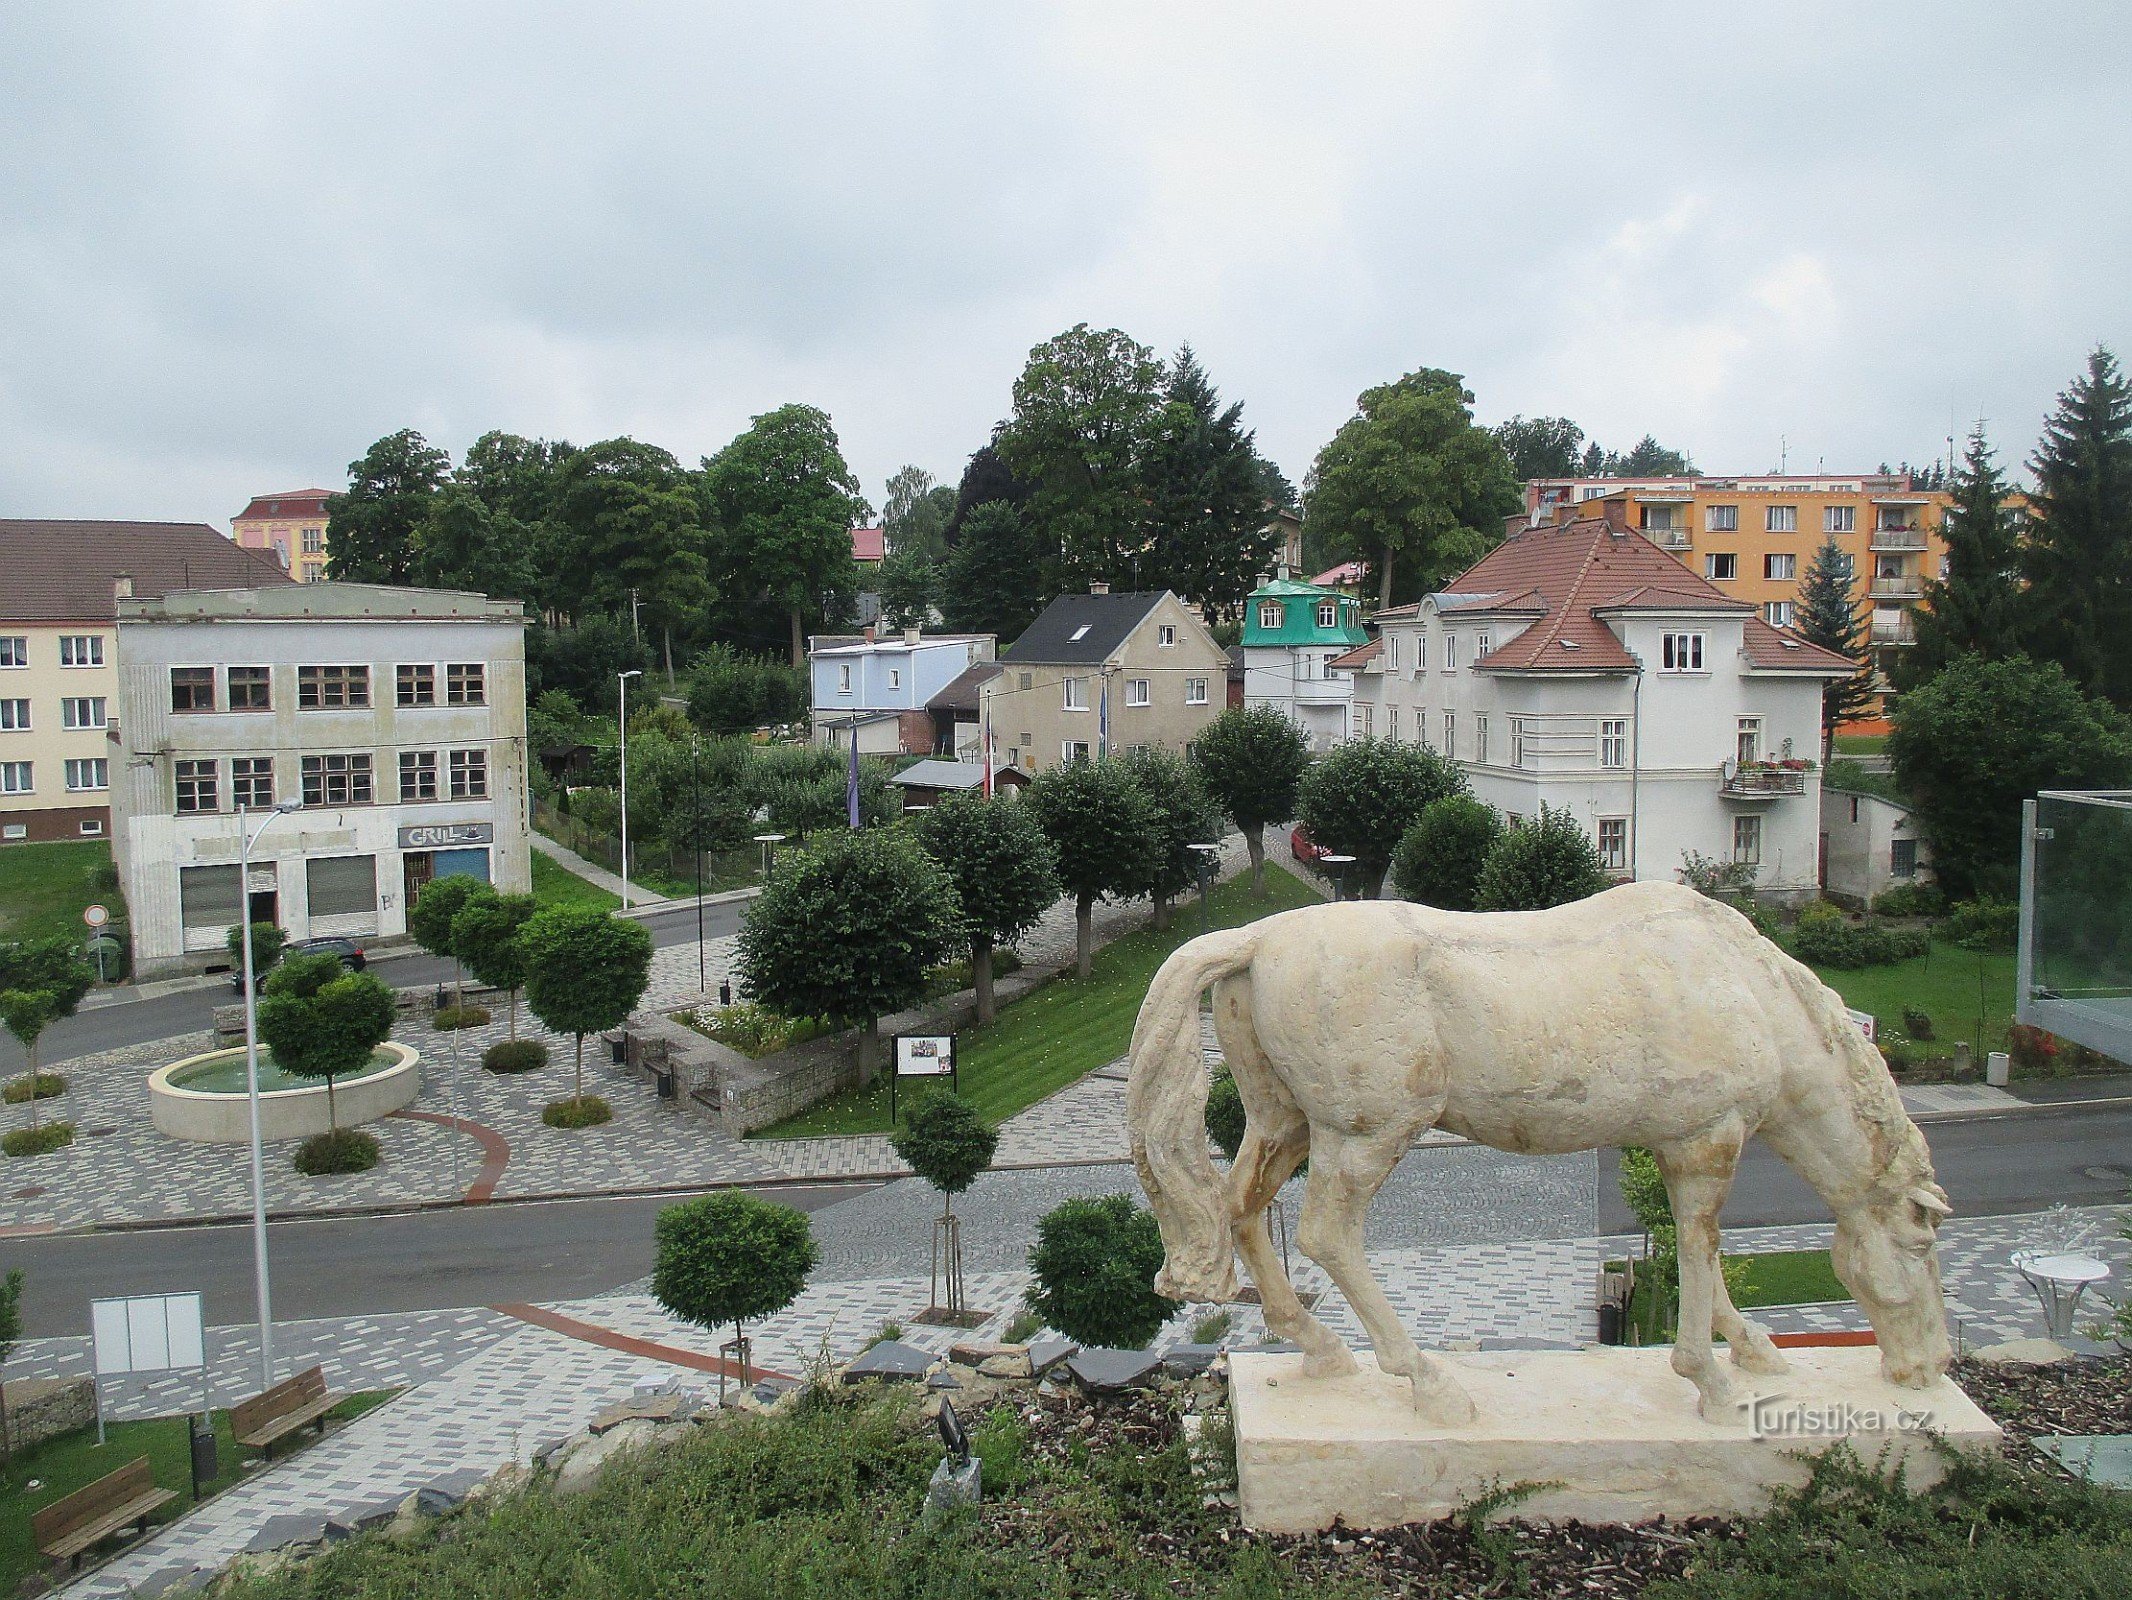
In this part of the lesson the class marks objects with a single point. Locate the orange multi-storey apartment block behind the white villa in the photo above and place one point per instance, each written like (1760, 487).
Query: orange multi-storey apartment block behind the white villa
(1758, 537)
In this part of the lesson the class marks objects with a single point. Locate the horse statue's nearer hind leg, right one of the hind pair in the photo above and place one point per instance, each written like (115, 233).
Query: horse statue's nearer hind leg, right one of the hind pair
(1346, 1174)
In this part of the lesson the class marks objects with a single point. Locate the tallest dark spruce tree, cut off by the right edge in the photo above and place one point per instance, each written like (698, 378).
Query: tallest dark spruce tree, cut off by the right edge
(2080, 543)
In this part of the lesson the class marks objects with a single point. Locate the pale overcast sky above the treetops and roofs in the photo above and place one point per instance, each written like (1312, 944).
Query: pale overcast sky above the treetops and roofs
(238, 244)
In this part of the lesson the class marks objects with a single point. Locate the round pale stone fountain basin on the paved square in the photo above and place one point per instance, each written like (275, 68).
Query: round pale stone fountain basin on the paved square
(204, 1098)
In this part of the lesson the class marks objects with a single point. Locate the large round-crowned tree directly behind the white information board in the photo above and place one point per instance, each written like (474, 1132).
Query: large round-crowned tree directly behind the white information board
(847, 929)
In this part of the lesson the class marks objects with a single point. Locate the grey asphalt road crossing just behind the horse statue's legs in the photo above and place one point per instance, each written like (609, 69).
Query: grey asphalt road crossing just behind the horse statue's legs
(566, 1249)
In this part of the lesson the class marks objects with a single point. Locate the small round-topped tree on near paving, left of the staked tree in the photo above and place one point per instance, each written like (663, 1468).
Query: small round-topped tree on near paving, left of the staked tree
(730, 1258)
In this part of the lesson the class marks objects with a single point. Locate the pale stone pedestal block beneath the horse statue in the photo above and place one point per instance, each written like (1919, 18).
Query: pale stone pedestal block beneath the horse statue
(1613, 1430)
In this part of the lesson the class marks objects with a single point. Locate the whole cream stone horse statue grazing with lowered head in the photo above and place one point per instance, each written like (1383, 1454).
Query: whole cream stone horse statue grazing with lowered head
(1645, 1017)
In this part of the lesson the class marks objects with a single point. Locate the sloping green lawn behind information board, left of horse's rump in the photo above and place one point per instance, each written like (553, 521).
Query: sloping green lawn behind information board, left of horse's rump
(1063, 1031)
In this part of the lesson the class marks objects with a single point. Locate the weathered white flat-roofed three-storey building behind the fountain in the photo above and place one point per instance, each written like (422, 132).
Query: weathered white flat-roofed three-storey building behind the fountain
(398, 718)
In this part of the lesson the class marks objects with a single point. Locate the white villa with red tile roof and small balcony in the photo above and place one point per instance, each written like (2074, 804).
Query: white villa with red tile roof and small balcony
(1583, 669)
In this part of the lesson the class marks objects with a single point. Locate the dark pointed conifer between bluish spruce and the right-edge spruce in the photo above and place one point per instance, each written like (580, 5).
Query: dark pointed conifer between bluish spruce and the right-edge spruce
(1975, 607)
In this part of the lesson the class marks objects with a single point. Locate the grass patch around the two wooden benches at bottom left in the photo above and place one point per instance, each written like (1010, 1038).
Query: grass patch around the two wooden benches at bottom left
(74, 1460)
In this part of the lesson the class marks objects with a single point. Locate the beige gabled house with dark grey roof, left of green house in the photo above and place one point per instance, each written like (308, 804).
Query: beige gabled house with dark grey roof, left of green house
(1099, 675)
